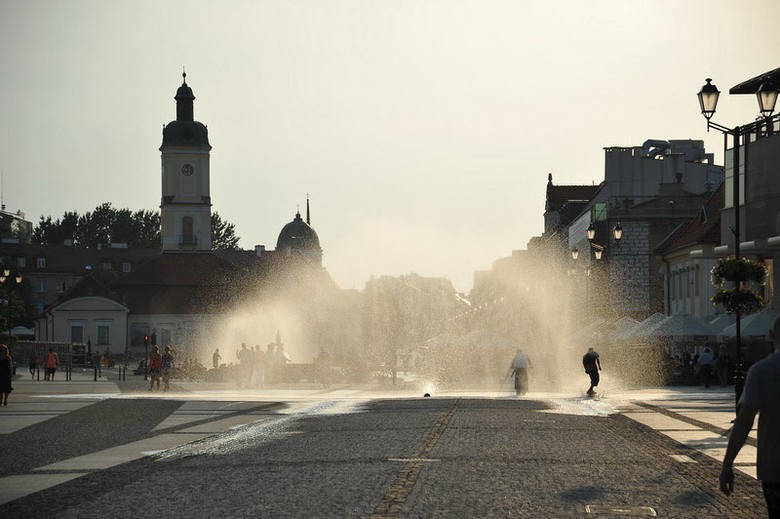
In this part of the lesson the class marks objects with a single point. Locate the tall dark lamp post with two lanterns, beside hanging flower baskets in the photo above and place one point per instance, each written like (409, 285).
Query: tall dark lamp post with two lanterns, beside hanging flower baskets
(708, 101)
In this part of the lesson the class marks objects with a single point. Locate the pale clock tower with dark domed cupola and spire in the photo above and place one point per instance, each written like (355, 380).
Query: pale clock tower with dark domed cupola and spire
(185, 207)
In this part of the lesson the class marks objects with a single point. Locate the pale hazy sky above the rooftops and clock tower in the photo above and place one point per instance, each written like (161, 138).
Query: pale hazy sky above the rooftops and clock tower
(423, 131)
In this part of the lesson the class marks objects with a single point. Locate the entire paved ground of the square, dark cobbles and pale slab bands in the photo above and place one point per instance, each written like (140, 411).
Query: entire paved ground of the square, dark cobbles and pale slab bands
(328, 454)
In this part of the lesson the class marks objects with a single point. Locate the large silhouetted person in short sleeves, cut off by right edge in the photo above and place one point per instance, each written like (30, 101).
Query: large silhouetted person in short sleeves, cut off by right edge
(759, 396)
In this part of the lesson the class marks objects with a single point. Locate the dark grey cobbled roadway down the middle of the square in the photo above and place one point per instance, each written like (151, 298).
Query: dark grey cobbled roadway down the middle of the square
(443, 457)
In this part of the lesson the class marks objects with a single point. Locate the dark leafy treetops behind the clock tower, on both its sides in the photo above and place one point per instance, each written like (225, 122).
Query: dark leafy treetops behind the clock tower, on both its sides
(106, 224)
